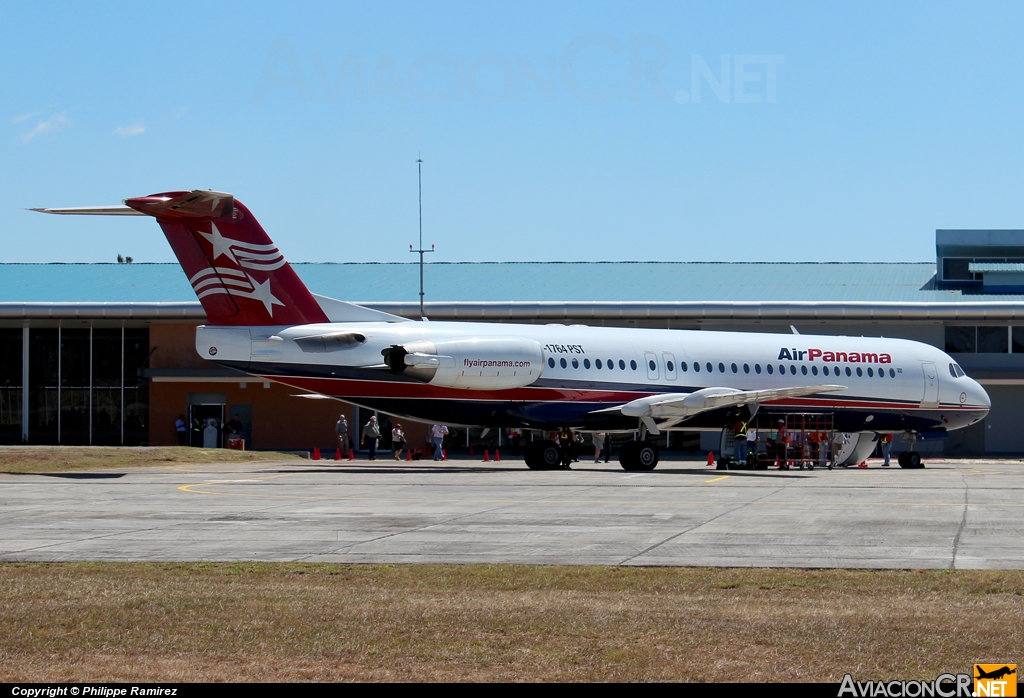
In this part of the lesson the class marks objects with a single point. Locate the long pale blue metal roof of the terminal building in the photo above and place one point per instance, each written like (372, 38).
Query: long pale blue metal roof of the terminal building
(499, 282)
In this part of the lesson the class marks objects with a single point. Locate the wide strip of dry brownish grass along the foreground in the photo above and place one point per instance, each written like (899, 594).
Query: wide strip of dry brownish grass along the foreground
(263, 622)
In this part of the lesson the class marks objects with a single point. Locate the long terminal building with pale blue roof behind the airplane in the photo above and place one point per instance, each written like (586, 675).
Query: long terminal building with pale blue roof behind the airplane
(105, 354)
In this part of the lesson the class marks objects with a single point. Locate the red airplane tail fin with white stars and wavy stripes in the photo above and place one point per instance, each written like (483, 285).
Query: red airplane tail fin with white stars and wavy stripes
(237, 272)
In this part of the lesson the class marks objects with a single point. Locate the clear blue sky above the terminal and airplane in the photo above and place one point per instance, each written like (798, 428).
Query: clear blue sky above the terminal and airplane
(549, 132)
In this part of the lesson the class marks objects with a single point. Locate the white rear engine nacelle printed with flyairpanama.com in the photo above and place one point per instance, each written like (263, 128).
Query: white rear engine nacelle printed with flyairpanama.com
(483, 364)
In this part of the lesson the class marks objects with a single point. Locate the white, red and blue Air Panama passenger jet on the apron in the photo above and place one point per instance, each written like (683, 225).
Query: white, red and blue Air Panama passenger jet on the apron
(263, 321)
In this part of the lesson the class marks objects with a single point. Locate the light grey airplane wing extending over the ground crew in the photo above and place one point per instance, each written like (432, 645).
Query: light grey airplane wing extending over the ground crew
(675, 408)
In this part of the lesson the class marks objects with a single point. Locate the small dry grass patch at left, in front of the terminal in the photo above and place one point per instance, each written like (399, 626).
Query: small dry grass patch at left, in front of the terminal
(68, 459)
